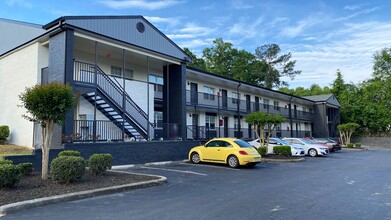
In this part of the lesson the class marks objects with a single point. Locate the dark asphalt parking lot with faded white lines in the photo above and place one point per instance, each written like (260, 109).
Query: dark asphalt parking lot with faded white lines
(343, 185)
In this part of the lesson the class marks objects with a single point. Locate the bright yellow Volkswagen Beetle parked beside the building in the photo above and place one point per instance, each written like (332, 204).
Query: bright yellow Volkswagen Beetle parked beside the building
(231, 151)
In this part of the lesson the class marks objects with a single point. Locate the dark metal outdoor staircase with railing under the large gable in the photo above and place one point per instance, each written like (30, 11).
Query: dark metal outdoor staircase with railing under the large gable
(111, 99)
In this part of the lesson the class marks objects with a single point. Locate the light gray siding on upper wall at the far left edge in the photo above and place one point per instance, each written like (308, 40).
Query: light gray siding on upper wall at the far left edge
(14, 34)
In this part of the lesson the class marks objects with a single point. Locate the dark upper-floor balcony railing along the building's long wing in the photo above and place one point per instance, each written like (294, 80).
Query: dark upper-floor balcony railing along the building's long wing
(205, 100)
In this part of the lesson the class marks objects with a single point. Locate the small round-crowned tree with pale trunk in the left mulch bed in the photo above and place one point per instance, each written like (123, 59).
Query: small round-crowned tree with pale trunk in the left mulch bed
(47, 104)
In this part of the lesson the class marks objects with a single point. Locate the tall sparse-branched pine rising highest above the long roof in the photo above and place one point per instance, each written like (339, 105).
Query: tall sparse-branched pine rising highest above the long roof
(277, 65)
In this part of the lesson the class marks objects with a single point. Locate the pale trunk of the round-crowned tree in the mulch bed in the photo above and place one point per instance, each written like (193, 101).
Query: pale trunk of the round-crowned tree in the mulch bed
(47, 133)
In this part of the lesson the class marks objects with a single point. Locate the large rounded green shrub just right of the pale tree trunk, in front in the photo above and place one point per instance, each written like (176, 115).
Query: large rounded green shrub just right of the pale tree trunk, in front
(67, 169)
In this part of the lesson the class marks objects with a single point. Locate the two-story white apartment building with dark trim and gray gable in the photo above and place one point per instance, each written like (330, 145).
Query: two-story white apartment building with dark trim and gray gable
(131, 82)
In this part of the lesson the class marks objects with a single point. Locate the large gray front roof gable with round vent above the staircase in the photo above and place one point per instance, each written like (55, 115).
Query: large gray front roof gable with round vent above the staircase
(135, 30)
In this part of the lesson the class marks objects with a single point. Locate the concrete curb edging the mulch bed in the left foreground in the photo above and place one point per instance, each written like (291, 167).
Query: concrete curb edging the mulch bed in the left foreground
(14, 207)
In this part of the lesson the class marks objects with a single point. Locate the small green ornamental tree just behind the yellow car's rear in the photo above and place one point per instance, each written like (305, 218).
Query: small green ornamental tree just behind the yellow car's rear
(262, 120)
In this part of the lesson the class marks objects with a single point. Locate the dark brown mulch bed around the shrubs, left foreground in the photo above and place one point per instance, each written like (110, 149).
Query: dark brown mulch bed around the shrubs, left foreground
(33, 187)
